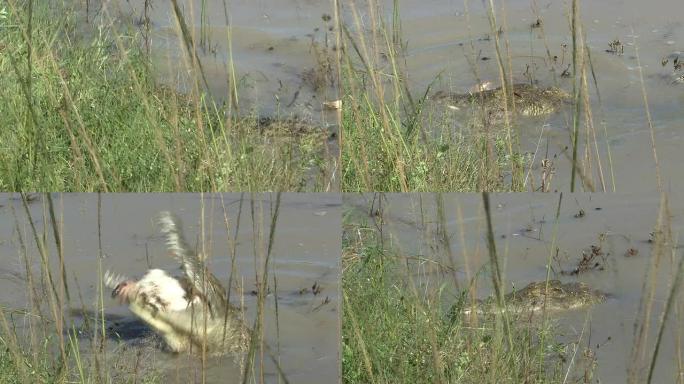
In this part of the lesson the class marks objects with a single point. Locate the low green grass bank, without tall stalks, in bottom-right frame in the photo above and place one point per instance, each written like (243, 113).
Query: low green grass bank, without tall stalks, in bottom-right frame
(394, 330)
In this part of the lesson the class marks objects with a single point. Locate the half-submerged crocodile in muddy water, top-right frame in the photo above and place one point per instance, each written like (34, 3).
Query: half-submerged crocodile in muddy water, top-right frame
(528, 100)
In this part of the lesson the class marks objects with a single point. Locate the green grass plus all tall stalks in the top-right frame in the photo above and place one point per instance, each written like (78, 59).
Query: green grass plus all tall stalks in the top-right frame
(395, 141)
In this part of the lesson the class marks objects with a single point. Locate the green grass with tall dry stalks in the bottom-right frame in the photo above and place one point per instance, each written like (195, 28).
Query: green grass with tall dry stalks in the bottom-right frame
(404, 318)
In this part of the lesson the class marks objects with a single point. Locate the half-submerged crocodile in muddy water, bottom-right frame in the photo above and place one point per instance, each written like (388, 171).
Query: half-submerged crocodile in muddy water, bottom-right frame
(532, 298)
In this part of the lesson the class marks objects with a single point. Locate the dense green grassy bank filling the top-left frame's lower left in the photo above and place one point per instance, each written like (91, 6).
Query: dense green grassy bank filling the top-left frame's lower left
(80, 110)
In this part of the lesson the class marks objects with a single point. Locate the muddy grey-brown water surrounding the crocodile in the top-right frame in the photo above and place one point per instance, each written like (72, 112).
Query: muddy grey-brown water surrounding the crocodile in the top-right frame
(439, 35)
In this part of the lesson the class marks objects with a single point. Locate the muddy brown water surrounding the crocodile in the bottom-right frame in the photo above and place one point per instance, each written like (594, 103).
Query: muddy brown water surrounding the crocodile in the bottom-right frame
(523, 225)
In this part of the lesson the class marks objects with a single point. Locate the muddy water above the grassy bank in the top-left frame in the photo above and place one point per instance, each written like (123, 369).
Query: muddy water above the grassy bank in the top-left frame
(273, 48)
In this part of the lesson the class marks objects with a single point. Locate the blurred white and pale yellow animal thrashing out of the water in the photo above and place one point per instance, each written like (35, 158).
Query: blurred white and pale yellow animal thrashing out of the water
(190, 312)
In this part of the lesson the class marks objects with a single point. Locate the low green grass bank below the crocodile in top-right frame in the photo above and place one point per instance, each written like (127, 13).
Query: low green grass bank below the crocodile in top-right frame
(381, 155)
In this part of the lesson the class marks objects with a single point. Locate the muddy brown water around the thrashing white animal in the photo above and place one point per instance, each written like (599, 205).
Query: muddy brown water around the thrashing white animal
(306, 251)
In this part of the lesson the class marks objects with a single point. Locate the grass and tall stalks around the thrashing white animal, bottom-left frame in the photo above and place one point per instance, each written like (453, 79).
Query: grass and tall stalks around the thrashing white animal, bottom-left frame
(43, 343)
